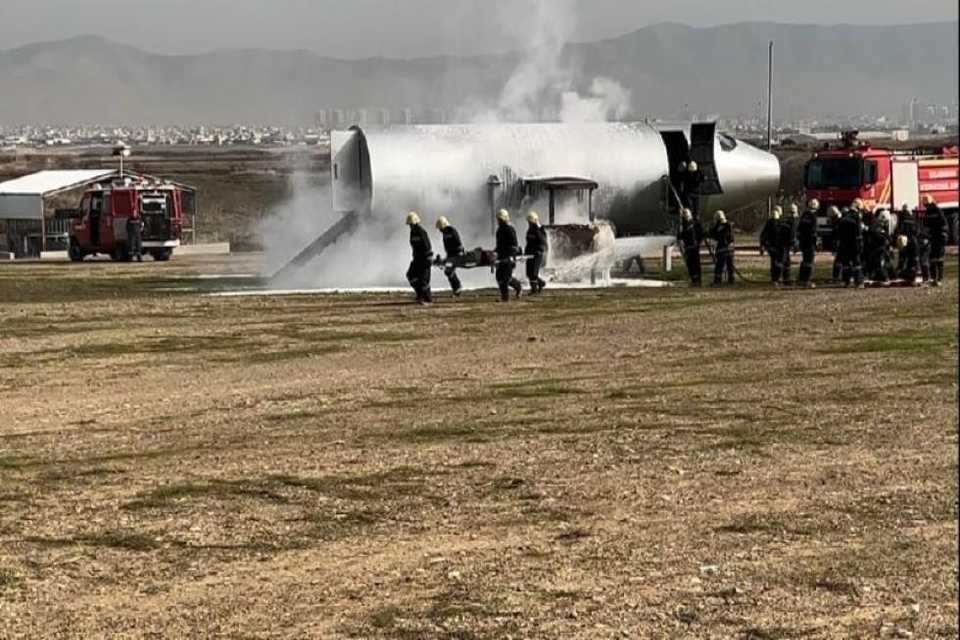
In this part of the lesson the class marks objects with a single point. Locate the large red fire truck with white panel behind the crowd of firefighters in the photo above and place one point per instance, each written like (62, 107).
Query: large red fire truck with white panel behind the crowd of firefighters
(882, 178)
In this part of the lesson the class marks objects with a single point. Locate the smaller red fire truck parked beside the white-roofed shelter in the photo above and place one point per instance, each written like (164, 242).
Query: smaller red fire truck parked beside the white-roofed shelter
(100, 223)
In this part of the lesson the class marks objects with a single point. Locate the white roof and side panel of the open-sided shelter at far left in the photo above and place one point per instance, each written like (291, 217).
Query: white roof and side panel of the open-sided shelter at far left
(22, 198)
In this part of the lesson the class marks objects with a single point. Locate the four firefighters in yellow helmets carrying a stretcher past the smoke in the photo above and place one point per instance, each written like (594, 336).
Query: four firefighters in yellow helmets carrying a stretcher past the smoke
(508, 250)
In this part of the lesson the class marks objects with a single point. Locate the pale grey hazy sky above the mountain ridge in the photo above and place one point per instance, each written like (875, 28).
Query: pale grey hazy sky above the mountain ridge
(406, 28)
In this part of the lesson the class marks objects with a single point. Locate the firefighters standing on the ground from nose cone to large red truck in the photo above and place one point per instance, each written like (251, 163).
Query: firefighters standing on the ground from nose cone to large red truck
(863, 244)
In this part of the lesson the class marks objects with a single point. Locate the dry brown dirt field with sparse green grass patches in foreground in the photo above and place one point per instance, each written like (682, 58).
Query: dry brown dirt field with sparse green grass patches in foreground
(741, 463)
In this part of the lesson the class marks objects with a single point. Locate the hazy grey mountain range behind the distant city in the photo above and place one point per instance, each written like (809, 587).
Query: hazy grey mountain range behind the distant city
(836, 70)
